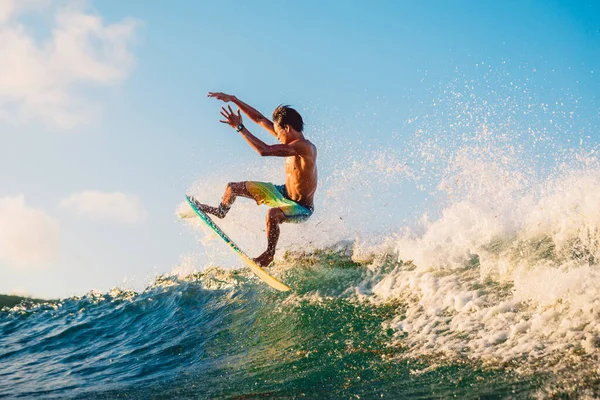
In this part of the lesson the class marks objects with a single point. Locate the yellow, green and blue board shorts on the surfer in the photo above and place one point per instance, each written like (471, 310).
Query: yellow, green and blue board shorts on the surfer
(276, 196)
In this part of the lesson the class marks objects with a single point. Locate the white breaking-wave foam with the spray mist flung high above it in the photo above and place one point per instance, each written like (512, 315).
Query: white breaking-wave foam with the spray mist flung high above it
(503, 267)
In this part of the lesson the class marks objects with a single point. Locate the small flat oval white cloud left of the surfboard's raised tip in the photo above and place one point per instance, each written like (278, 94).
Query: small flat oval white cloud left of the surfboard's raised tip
(97, 205)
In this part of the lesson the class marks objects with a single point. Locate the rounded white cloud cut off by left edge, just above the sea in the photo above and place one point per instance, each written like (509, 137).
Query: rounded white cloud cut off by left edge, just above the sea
(27, 236)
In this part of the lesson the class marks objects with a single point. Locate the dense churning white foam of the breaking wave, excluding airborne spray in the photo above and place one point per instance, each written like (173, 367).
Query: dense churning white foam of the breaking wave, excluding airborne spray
(515, 280)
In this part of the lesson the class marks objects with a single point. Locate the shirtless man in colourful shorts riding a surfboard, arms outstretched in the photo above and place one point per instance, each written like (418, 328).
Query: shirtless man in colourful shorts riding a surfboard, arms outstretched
(292, 202)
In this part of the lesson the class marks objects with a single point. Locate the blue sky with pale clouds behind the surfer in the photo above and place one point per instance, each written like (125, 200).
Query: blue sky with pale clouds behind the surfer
(106, 124)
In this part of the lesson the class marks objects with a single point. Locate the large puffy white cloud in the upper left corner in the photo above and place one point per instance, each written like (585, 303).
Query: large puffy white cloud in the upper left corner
(42, 77)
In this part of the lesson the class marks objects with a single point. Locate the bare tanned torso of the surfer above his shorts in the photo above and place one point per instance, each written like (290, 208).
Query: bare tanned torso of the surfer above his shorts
(301, 176)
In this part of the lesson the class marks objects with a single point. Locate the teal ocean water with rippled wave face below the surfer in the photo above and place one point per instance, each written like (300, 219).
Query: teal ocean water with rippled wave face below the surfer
(223, 334)
